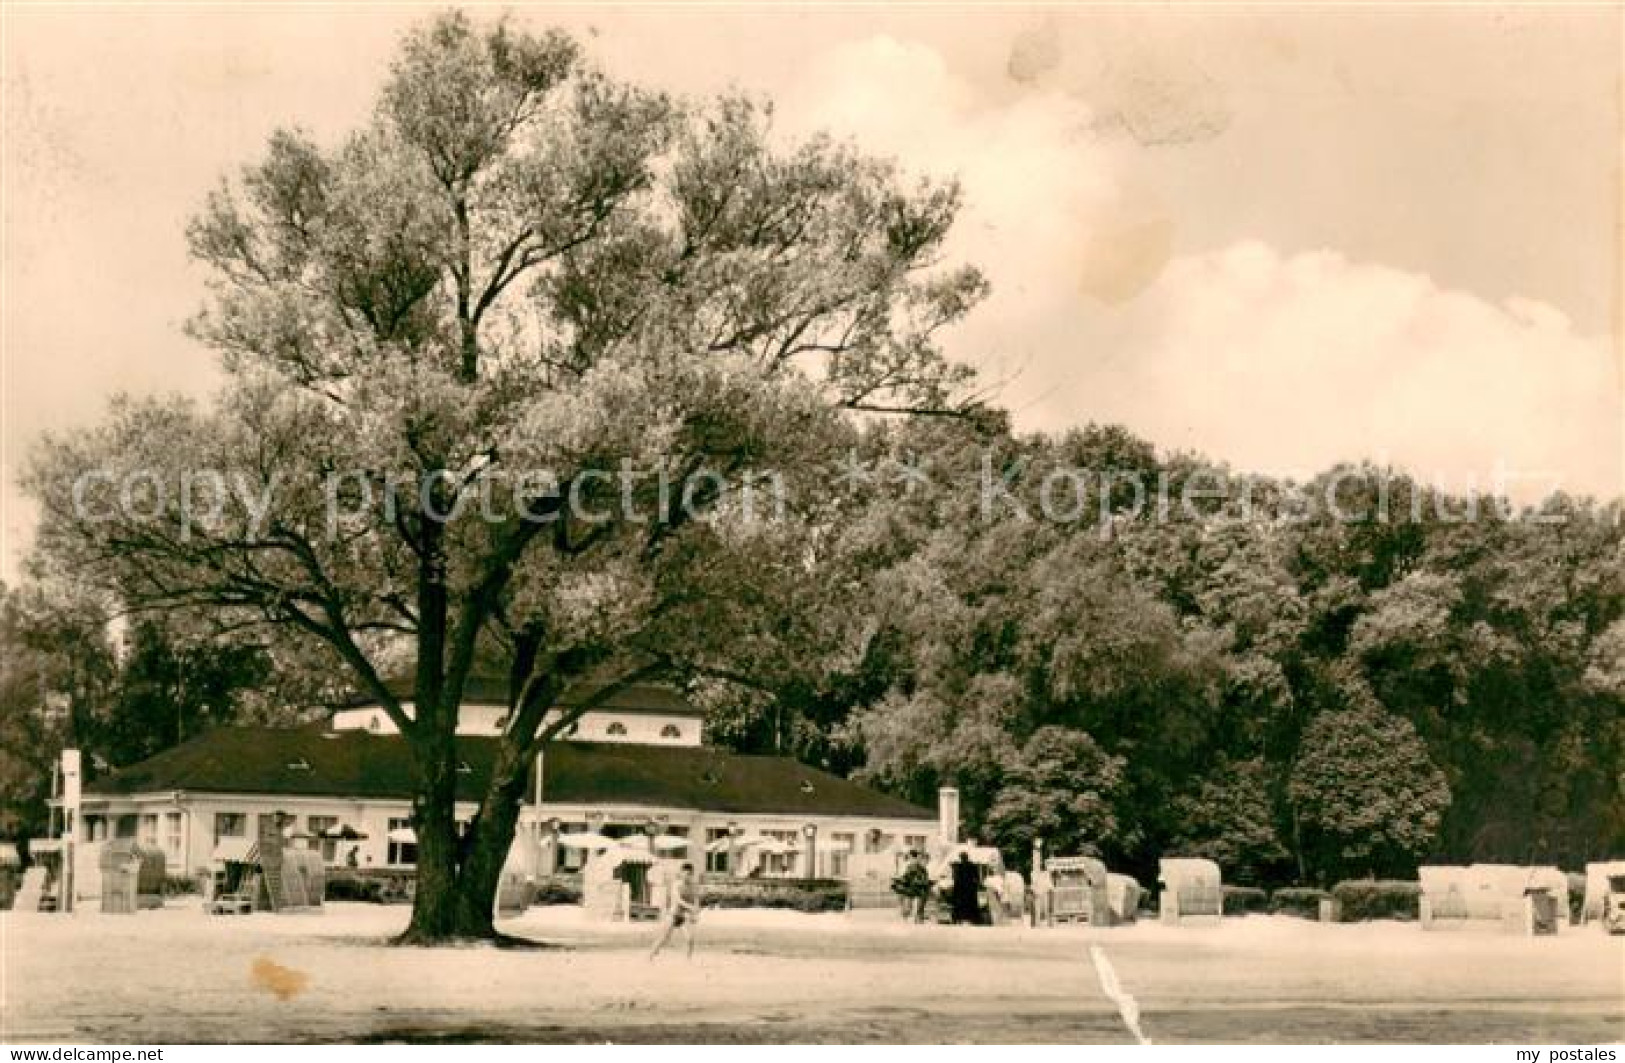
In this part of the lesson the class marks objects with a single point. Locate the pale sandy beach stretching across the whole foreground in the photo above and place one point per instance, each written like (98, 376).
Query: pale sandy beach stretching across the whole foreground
(181, 976)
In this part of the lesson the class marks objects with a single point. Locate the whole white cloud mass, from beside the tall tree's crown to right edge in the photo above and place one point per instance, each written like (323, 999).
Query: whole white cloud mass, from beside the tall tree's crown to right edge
(1272, 362)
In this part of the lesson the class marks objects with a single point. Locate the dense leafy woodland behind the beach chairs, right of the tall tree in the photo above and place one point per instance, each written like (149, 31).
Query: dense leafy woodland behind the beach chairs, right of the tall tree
(1301, 680)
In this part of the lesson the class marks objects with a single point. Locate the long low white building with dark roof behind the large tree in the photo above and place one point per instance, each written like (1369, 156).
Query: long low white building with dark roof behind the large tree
(633, 766)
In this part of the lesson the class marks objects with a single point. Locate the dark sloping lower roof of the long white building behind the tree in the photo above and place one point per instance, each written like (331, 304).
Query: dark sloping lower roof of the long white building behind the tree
(358, 765)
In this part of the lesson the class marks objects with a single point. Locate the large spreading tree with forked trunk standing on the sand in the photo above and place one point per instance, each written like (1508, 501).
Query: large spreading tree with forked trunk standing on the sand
(446, 341)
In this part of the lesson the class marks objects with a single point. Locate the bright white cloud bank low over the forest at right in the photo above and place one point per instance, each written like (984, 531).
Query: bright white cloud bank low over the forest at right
(1291, 363)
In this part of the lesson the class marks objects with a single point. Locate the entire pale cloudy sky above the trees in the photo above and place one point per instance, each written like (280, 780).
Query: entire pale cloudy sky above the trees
(1278, 236)
